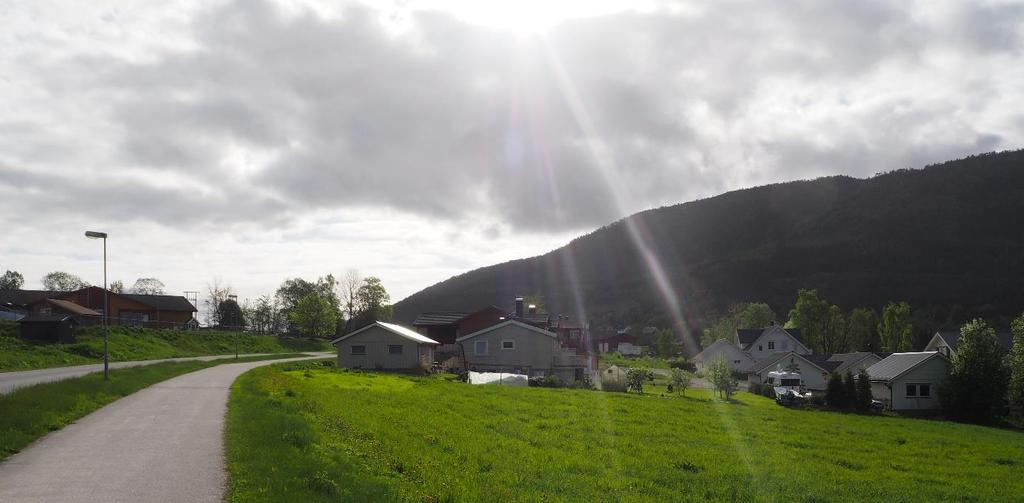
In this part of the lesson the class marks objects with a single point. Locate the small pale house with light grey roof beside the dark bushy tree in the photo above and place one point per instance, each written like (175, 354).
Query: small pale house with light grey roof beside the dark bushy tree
(910, 382)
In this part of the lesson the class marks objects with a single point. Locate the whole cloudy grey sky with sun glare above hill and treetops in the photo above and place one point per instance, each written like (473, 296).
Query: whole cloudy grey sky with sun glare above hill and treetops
(257, 141)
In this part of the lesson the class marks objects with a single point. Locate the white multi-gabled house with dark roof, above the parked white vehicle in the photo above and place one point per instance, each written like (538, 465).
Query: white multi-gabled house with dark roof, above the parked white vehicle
(751, 347)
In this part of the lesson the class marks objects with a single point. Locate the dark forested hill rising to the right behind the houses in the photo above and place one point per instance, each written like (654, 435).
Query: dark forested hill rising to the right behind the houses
(950, 239)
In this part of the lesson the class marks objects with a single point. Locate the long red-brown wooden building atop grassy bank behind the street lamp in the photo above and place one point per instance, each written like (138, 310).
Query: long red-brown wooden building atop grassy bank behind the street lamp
(125, 310)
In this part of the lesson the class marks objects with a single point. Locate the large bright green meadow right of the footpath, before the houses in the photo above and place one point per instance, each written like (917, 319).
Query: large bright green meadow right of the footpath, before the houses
(305, 433)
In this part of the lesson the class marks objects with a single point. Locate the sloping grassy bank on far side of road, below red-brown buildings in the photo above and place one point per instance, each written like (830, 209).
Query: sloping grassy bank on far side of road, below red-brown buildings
(130, 345)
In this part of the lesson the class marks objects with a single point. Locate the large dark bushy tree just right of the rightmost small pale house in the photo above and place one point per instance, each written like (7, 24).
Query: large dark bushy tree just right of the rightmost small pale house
(977, 385)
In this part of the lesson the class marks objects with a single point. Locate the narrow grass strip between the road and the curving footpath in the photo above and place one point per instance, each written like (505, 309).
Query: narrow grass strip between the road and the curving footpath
(29, 413)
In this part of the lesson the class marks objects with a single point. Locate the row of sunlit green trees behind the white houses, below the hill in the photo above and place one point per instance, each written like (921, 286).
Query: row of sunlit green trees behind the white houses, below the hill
(826, 328)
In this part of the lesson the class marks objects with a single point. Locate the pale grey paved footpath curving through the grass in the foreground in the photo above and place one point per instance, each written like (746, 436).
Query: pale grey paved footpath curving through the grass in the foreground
(162, 444)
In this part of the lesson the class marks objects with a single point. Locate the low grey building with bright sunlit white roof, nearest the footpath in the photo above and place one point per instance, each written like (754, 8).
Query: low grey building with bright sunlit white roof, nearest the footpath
(386, 347)
